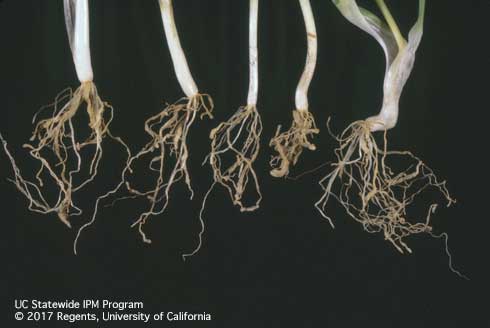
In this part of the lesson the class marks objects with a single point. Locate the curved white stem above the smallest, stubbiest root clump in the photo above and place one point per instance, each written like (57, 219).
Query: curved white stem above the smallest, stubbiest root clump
(304, 83)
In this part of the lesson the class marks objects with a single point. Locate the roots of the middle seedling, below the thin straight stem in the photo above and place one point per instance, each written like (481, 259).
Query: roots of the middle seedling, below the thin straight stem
(240, 136)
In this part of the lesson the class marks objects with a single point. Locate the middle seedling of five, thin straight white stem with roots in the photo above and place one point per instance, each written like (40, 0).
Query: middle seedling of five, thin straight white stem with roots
(239, 136)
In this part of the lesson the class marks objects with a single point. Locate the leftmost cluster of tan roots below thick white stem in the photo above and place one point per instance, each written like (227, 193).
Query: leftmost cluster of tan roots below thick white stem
(55, 138)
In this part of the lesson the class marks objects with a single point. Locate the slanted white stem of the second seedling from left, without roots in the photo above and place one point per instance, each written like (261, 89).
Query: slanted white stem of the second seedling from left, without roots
(178, 58)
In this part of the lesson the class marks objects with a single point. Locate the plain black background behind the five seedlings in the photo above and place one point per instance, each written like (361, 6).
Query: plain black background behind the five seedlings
(282, 265)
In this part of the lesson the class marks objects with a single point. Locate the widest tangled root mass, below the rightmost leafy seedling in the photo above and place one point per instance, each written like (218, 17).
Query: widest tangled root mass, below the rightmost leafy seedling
(382, 196)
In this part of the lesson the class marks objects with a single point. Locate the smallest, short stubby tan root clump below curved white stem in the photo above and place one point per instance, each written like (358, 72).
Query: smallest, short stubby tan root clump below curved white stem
(289, 145)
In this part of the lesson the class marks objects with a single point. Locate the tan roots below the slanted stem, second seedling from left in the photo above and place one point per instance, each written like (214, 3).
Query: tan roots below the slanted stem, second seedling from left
(168, 131)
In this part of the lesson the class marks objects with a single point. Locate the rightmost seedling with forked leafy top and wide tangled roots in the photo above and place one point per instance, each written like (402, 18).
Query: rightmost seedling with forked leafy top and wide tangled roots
(371, 191)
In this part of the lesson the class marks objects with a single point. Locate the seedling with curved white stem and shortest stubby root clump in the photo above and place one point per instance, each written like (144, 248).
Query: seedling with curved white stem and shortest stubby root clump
(289, 144)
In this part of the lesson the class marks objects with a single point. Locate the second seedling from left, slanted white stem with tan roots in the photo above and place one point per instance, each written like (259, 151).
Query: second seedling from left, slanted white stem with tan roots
(168, 131)
